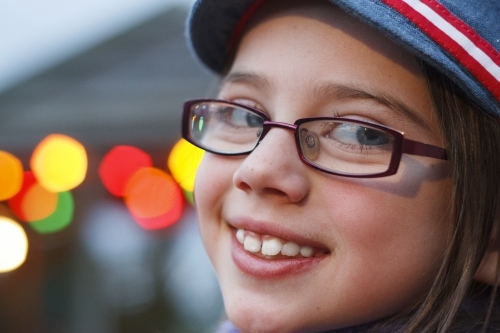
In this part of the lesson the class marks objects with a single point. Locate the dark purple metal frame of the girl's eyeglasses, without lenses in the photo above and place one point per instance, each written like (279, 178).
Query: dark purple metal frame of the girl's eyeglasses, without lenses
(401, 145)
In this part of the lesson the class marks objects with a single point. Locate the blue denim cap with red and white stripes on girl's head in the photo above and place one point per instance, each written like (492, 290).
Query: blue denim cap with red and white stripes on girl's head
(459, 38)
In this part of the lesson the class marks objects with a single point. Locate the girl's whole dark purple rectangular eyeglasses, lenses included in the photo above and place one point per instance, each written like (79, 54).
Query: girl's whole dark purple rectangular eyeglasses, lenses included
(338, 146)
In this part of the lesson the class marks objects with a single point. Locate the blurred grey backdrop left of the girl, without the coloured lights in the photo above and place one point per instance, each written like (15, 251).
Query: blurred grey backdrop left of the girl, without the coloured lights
(105, 73)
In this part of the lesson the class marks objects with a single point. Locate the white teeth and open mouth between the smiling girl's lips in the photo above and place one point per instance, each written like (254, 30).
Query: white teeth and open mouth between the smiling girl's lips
(271, 247)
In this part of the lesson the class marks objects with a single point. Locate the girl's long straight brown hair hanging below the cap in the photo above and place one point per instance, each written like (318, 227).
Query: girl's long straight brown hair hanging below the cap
(474, 150)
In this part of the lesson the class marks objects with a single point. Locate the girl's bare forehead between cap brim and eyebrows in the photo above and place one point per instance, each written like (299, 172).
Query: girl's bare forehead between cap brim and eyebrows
(301, 49)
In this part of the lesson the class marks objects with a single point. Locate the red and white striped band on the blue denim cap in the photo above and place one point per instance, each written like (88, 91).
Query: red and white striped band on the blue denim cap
(486, 70)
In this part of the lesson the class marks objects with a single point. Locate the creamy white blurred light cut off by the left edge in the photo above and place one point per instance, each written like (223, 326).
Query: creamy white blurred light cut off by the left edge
(13, 245)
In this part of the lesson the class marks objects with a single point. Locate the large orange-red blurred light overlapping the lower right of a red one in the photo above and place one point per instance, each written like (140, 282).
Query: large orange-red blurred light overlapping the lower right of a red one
(153, 198)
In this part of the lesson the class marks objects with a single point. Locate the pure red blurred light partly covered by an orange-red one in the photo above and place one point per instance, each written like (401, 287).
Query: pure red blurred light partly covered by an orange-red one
(119, 164)
